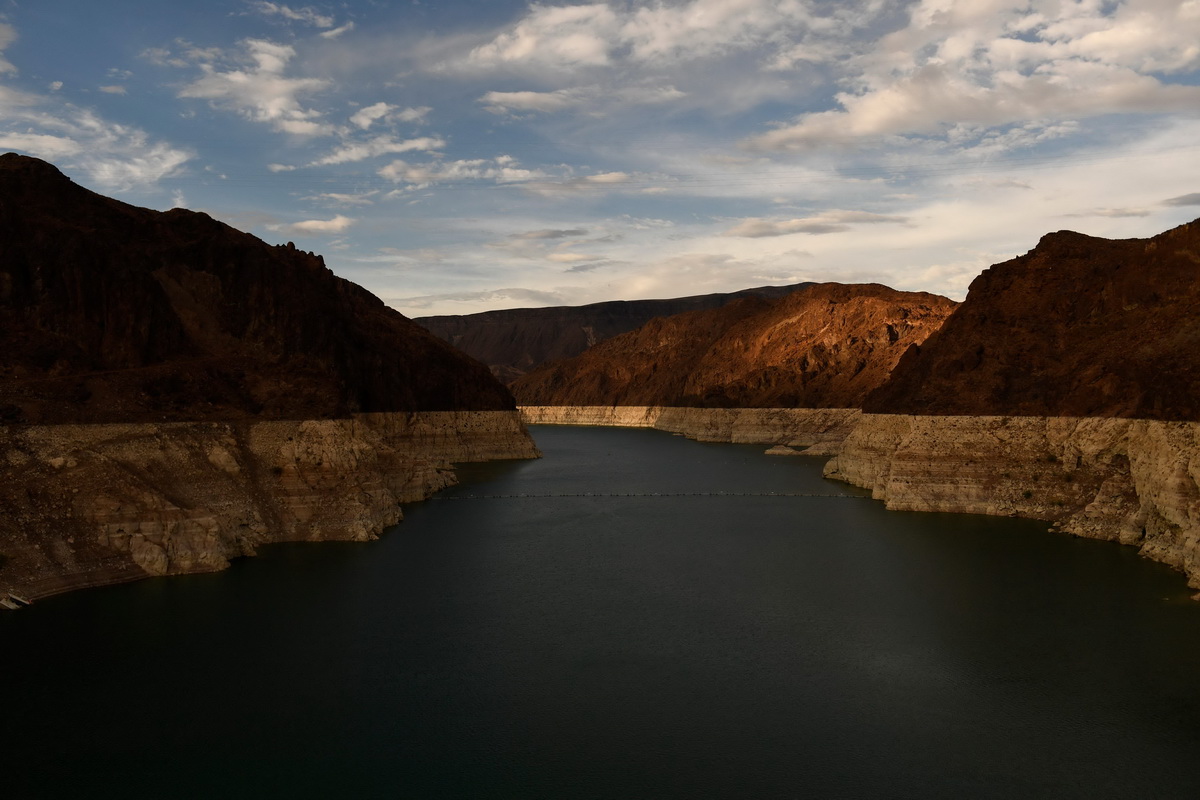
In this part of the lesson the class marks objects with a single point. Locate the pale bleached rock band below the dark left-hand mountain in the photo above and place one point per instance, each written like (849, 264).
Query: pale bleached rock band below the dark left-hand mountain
(86, 506)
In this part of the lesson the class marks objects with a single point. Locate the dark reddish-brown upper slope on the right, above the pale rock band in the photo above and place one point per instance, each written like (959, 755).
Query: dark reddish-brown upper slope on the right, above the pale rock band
(1078, 327)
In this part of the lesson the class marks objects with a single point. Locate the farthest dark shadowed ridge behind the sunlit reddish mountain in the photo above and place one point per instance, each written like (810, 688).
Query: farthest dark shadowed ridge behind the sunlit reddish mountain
(515, 341)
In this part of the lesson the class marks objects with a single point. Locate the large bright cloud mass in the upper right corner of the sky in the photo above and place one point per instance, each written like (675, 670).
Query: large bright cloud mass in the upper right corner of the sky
(995, 63)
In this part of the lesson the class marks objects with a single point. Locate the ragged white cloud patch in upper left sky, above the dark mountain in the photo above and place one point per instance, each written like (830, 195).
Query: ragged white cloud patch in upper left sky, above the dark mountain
(260, 91)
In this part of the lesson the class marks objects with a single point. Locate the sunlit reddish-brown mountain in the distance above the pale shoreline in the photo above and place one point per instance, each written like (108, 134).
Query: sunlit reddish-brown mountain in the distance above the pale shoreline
(826, 347)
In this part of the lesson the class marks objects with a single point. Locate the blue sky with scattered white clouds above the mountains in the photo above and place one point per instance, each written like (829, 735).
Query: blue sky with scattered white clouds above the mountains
(455, 157)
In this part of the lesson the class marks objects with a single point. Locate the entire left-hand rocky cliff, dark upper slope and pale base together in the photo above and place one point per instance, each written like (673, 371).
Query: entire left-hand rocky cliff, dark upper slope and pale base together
(176, 394)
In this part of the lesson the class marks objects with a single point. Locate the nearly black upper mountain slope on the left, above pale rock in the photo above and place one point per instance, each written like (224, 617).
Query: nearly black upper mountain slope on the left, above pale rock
(111, 312)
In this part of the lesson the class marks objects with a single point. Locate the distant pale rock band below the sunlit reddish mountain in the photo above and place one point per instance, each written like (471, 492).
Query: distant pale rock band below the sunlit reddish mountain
(819, 429)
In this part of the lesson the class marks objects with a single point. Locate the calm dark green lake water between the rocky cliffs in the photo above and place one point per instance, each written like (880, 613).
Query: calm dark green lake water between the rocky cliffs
(640, 647)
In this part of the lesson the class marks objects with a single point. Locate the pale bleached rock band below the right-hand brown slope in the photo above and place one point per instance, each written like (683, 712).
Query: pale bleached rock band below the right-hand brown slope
(1133, 482)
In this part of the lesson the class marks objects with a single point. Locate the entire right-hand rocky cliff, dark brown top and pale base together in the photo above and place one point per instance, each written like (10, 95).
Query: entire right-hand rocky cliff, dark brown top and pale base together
(1066, 388)
